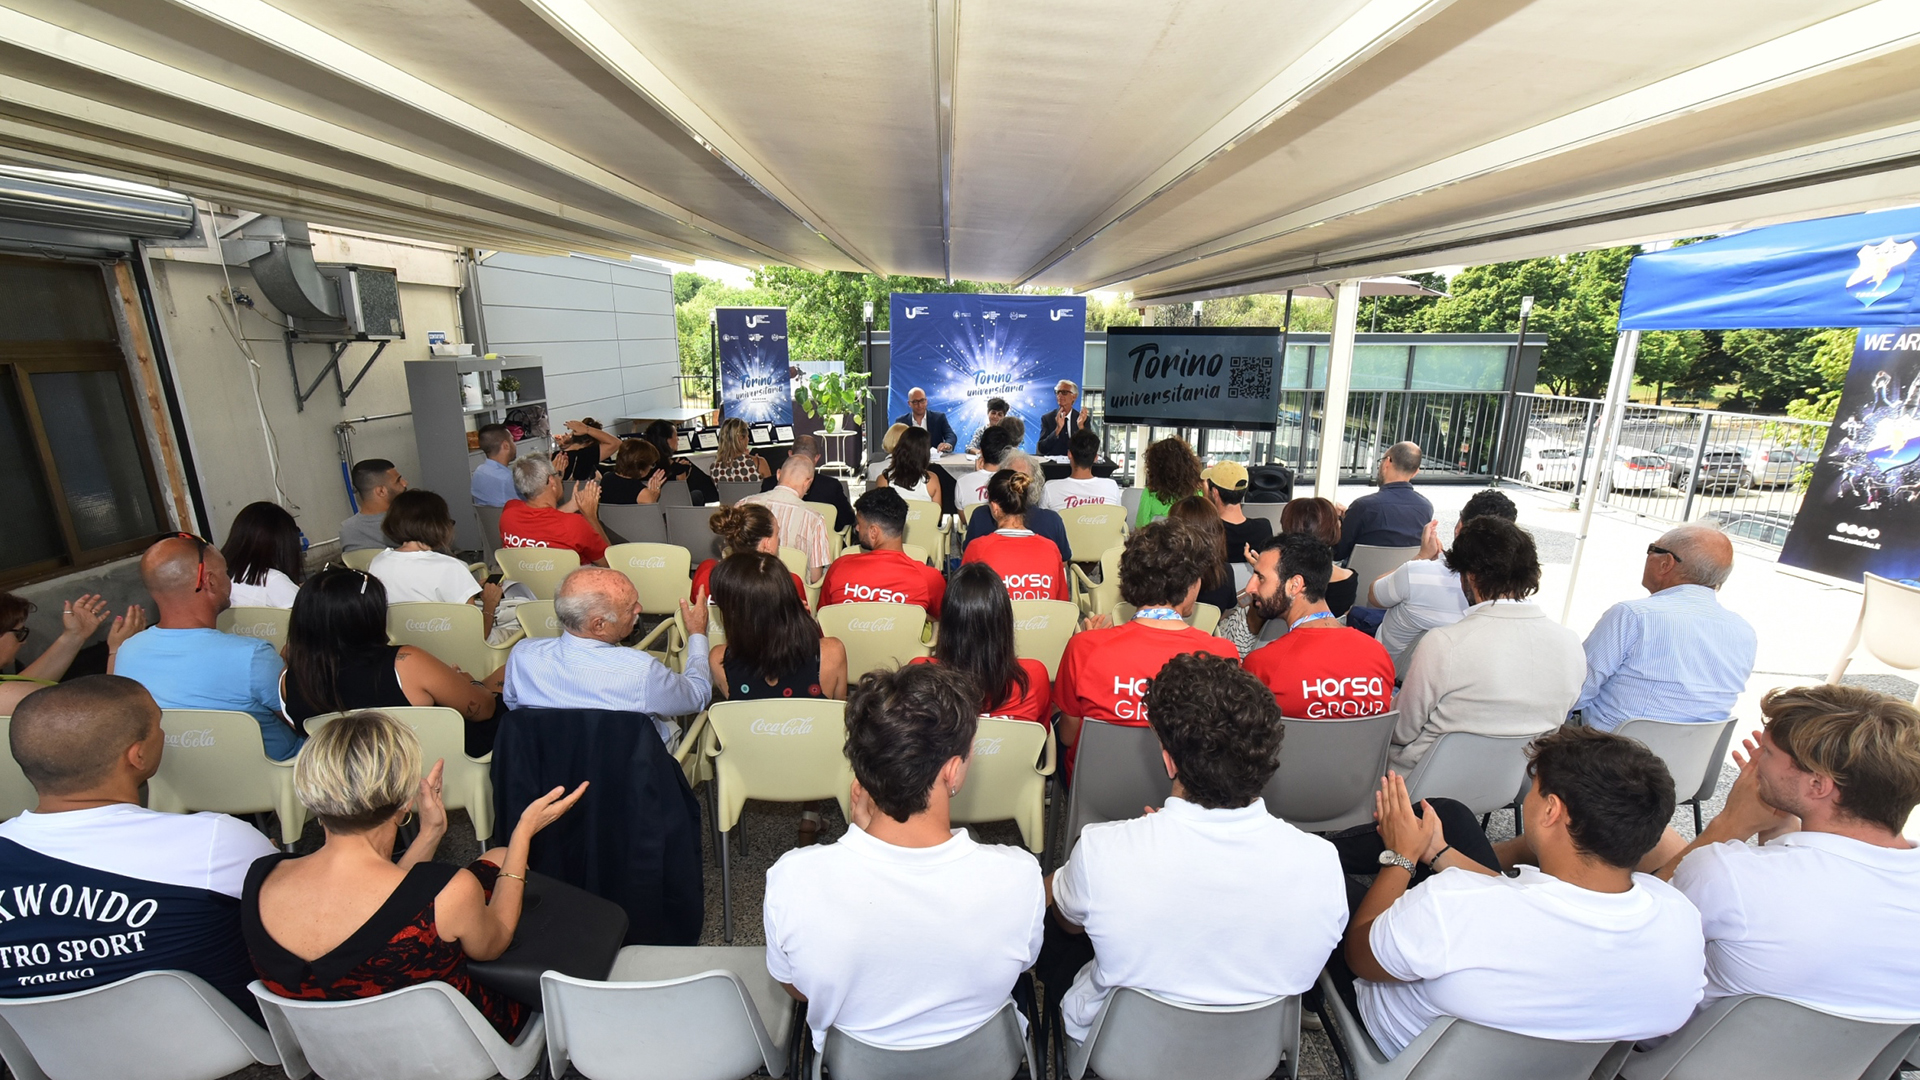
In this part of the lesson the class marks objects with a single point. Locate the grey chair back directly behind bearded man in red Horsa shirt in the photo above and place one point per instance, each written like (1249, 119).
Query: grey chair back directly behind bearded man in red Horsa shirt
(1330, 772)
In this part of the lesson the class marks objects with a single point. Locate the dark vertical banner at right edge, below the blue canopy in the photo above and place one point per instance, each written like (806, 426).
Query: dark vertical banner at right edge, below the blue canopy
(1863, 506)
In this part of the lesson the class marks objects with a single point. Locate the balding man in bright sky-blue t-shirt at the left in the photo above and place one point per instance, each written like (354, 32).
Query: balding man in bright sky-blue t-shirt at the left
(185, 664)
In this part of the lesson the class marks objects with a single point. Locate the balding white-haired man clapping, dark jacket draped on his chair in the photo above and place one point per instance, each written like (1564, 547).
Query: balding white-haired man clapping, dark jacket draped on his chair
(587, 668)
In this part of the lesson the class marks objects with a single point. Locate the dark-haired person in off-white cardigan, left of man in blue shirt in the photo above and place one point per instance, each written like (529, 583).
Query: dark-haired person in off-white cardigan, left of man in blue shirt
(1506, 668)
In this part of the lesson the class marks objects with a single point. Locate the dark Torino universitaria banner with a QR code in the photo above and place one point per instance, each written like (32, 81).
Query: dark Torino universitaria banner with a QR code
(1193, 376)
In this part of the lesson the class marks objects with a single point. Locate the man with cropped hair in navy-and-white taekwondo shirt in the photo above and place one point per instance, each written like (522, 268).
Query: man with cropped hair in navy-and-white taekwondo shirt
(101, 889)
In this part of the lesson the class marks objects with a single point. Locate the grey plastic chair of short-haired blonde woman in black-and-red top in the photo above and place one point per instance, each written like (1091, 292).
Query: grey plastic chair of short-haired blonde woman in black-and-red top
(420, 1033)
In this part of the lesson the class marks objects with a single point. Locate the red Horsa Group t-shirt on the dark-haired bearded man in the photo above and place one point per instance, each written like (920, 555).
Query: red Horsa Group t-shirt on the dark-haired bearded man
(1326, 675)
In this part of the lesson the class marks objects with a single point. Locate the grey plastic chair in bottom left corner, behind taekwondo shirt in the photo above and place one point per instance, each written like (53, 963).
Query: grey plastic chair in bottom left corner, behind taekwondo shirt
(158, 1025)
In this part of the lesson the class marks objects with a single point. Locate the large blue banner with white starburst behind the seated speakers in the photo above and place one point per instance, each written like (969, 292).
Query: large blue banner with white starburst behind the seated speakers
(965, 349)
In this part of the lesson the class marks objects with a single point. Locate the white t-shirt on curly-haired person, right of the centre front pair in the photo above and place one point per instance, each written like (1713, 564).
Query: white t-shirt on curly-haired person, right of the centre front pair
(1138, 887)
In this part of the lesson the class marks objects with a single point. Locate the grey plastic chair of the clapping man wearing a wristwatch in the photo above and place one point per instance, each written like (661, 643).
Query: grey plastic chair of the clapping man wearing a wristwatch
(1454, 1050)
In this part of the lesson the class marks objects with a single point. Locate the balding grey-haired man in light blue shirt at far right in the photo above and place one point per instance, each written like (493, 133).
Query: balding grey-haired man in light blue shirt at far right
(1673, 654)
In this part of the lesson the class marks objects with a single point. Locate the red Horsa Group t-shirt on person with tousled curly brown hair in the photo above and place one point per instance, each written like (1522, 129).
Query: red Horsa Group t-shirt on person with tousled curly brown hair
(1105, 674)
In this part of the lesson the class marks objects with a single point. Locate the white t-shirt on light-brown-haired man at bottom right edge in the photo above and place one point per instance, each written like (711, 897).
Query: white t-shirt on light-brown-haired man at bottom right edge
(1812, 918)
